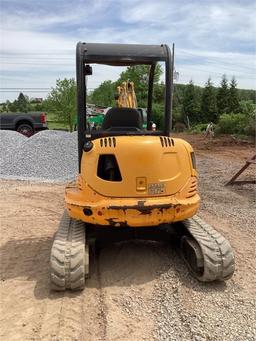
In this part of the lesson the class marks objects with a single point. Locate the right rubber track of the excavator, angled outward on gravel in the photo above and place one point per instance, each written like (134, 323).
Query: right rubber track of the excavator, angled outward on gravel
(218, 256)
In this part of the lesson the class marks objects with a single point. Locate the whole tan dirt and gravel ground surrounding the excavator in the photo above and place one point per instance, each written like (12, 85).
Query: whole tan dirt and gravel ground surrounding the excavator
(137, 290)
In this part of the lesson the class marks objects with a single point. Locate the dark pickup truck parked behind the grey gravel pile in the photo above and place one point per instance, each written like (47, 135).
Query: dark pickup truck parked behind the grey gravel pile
(25, 123)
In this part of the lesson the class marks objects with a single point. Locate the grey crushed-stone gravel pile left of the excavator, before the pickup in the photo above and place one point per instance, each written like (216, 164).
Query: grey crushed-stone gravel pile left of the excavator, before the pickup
(47, 155)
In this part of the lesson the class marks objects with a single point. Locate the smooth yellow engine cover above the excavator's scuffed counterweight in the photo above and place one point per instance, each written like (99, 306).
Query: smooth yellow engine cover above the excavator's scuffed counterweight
(139, 157)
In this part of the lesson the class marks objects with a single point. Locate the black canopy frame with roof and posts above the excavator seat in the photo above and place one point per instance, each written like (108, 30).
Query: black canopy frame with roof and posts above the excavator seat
(121, 55)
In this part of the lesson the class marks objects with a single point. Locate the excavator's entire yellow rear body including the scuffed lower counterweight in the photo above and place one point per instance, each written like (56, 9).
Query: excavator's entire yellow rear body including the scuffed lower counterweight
(159, 183)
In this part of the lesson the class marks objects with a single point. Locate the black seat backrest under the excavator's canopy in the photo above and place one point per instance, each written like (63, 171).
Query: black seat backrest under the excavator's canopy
(122, 117)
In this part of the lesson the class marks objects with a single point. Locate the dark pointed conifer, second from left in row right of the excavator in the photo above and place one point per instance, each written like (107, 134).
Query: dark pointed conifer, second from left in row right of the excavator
(208, 103)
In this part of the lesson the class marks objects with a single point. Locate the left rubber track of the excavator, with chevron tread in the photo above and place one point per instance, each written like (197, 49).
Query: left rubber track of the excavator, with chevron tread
(69, 255)
